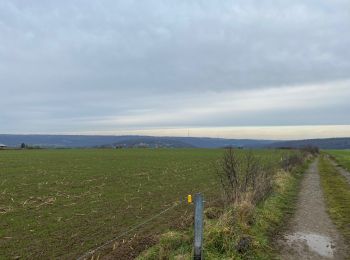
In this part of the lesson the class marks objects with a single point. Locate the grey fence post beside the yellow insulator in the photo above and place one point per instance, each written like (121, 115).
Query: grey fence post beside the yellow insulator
(198, 227)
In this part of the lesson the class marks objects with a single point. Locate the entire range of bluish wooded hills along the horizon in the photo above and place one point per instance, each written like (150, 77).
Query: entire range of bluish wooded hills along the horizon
(88, 141)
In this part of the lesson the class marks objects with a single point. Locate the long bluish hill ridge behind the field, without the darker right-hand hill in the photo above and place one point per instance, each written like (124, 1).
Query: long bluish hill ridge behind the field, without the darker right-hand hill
(70, 141)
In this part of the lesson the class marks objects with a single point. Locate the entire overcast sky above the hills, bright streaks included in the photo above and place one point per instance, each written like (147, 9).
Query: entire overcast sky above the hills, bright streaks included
(243, 68)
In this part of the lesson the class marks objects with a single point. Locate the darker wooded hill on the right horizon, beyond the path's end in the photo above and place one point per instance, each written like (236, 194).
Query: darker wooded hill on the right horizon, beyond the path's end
(327, 143)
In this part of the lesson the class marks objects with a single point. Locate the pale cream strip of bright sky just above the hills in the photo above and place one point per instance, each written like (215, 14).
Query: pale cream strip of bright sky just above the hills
(283, 132)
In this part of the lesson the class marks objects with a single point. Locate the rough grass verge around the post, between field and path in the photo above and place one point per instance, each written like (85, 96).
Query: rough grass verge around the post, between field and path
(242, 231)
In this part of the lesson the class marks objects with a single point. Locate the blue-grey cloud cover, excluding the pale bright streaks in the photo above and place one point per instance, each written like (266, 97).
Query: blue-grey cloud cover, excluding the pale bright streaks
(84, 59)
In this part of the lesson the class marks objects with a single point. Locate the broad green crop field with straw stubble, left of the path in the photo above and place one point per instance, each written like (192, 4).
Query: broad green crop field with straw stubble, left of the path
(62, 203)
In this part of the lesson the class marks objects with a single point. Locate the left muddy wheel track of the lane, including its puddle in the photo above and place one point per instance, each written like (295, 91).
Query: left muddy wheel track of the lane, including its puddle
(311, 233)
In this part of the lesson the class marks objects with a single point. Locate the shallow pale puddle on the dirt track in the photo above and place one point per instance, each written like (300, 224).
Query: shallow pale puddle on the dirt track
(320, 244)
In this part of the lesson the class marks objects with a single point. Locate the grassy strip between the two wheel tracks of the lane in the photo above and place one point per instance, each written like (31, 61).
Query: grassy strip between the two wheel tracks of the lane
(337, 195)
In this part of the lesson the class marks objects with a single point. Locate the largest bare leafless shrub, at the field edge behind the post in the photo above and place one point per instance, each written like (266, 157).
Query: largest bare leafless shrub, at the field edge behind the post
(244, 176)
